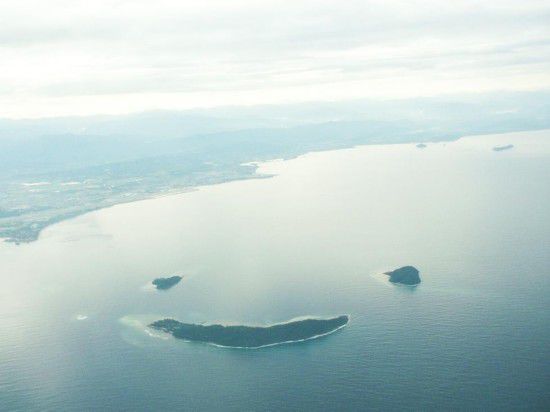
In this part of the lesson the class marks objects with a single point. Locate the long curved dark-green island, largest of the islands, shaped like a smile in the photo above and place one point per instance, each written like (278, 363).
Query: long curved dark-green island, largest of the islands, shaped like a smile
(251, 336)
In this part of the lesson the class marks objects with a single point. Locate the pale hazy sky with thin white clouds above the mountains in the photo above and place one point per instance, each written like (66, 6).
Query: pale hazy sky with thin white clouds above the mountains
(84, 57)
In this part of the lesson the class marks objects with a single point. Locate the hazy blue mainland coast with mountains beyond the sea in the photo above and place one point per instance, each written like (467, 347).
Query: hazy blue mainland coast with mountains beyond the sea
(52, 170)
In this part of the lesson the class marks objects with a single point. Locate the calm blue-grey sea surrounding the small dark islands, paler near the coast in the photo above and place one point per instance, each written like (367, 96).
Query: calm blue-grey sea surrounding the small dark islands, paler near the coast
(310, 241)
